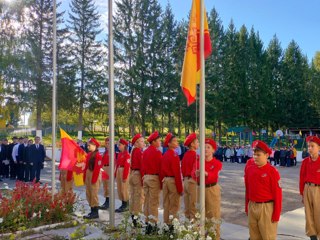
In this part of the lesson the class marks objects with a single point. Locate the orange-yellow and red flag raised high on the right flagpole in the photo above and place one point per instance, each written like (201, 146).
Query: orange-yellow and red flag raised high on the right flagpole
(191, 74)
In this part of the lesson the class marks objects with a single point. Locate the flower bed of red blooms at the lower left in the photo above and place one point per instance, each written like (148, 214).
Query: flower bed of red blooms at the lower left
(31, 205)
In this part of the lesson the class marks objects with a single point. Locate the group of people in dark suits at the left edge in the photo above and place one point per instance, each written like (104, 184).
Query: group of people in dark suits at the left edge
(22, 159)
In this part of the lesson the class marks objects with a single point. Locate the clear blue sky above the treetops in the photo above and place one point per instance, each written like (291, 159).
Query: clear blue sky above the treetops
(289, 19)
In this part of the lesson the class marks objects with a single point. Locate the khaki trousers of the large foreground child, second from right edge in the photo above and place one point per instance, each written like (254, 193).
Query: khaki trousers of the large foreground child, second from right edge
(260, 224)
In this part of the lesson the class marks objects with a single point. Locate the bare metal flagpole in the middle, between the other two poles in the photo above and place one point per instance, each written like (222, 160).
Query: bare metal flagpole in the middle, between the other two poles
(111, 118)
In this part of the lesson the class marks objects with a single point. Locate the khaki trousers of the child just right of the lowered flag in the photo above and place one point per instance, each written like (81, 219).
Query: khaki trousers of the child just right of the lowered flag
(92, 190)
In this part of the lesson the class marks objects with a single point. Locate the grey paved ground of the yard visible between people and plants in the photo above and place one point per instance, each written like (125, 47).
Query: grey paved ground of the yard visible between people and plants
(234, 225)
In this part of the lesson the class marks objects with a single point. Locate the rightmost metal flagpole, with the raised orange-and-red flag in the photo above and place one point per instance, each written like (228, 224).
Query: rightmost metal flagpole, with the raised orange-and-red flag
(202, 123)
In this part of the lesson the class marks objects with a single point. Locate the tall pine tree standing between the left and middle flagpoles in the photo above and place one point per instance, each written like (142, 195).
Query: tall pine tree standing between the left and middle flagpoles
(84, 26)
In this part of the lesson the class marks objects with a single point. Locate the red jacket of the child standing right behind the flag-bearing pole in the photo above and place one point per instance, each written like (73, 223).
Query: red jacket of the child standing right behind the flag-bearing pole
(212, 167)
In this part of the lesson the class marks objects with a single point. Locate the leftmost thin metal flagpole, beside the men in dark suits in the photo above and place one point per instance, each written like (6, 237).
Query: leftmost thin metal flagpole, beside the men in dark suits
(54, 93)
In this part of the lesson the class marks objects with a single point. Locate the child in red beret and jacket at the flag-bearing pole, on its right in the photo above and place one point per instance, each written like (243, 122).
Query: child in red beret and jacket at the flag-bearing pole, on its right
(212, 191)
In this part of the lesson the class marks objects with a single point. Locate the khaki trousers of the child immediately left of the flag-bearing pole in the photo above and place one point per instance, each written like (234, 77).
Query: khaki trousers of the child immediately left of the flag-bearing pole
(190, 197)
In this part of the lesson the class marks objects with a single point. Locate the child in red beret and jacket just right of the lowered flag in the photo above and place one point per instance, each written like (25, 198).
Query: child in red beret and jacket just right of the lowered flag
(92, 177)
